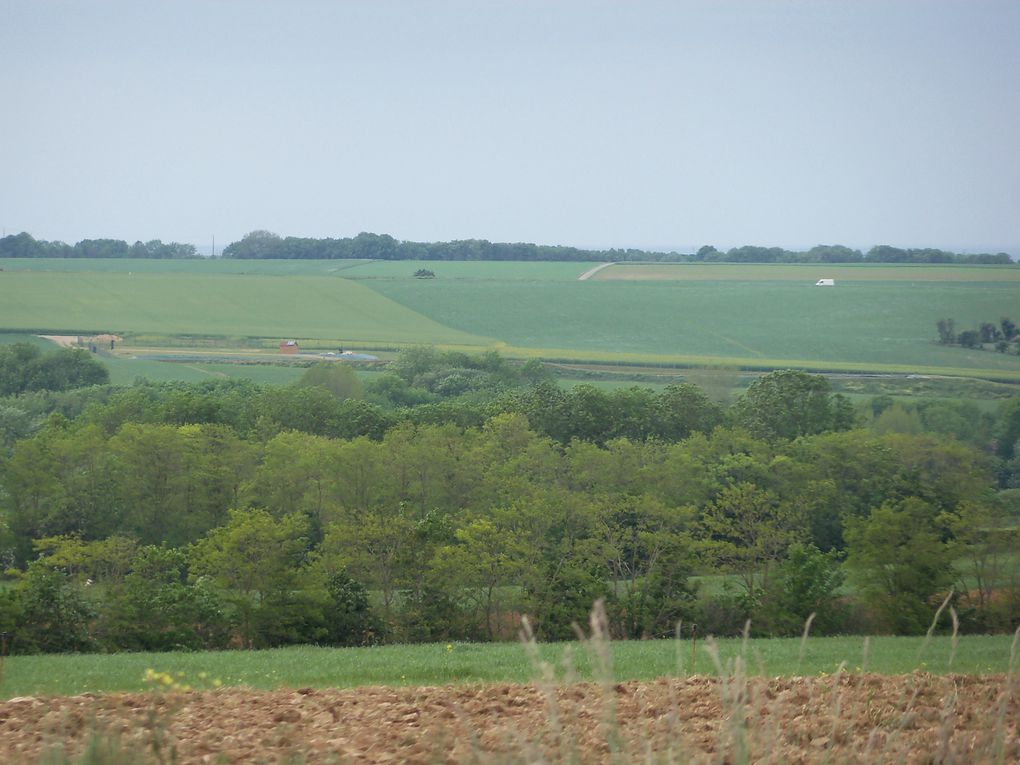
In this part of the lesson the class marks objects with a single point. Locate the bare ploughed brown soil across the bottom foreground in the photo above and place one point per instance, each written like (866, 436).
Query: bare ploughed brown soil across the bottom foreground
(915, 719)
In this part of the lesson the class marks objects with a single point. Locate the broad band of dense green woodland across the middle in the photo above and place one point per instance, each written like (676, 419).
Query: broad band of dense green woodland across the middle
(456, 493)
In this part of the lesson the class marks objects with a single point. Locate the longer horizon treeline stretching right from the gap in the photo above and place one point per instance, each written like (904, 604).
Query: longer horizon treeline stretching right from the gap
(263, 244)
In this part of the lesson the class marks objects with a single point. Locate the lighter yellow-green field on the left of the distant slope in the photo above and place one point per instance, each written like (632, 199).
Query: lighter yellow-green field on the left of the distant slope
(213, 304)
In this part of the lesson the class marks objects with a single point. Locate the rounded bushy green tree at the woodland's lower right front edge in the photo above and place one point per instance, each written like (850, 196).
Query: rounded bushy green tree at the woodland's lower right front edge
(900, 563)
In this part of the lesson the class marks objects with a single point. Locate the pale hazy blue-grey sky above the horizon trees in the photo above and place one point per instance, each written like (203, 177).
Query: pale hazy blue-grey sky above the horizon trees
(592, 124)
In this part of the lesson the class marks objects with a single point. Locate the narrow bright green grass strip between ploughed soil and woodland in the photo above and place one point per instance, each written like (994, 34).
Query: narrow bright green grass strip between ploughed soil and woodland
(437, 665)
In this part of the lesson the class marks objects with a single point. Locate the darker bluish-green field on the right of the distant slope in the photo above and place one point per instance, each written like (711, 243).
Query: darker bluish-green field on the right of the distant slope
(880, 325)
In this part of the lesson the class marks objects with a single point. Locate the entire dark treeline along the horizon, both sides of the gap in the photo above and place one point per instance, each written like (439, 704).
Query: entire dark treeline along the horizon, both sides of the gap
(266, 245)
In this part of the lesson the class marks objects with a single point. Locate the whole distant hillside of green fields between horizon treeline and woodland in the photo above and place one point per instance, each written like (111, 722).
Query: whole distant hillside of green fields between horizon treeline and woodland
(880, 319)
